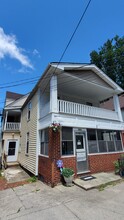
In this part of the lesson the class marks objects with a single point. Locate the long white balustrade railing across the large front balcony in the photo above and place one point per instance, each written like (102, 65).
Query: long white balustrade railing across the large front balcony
(85, 110)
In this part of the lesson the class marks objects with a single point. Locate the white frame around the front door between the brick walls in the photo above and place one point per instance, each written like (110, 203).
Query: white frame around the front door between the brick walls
(83, 132)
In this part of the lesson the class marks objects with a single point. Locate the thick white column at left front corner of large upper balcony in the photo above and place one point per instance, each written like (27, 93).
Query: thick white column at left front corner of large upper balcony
(53, 94)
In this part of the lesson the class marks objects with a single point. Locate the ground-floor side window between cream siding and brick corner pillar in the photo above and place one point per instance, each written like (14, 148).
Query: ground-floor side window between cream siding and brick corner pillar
(44, 142)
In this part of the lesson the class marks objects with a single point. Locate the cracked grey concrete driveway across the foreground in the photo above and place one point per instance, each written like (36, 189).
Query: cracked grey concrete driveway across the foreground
(38, 201)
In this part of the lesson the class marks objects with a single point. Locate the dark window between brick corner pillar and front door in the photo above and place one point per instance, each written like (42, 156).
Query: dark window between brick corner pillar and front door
(67, 141)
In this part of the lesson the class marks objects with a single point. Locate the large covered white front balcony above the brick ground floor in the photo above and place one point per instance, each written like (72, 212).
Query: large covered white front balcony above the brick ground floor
(80, 90)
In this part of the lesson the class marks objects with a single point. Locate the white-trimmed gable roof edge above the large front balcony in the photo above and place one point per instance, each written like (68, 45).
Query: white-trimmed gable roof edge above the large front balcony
(60, 68)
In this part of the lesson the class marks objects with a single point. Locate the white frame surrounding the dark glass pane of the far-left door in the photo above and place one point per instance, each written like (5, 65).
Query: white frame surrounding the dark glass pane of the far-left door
(14, 157)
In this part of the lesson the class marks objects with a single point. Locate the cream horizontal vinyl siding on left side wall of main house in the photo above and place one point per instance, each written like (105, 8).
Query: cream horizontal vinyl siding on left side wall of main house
(29, 161)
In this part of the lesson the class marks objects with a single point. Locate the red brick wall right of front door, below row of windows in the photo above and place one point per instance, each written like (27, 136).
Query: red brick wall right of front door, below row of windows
(103, 162)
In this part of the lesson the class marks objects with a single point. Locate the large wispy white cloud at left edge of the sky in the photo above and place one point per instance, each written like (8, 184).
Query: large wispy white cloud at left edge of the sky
(8, 46)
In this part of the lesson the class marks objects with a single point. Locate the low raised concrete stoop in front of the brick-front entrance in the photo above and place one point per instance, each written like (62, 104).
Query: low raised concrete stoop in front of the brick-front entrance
(100, 179)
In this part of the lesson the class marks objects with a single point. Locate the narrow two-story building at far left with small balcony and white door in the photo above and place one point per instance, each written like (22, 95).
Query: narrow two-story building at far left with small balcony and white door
(11, 126)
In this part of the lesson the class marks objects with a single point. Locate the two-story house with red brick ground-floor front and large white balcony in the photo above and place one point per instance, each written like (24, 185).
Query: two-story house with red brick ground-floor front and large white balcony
(89, 139)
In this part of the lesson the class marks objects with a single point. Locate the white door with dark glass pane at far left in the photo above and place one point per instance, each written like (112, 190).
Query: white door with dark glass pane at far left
(12, 151)
